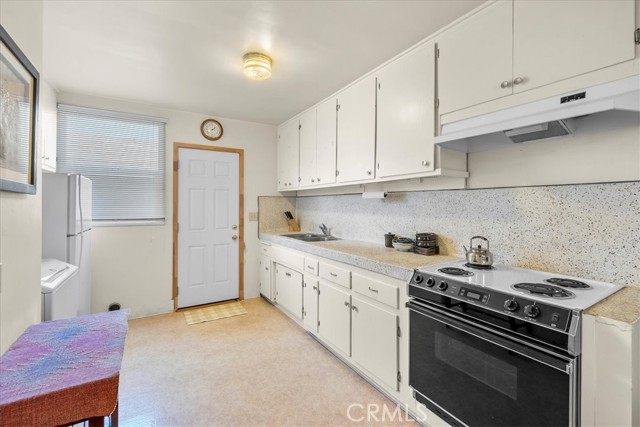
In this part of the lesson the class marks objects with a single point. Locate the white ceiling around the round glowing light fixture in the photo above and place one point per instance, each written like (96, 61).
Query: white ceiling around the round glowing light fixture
(187, 55)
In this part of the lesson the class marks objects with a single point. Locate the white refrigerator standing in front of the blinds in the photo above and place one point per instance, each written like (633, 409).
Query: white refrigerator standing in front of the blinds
(66, 227)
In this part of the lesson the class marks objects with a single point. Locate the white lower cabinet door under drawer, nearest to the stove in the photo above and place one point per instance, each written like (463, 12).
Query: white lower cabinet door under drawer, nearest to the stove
(374, 340)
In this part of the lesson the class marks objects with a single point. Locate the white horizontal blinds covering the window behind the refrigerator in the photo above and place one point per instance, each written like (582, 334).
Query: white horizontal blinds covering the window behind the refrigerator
(123, 154)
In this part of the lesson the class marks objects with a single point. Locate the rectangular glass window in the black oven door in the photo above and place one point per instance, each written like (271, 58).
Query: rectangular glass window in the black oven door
(489, 370)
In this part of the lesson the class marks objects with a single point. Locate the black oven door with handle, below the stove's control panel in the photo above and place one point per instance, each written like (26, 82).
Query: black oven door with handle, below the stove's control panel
(472, 376)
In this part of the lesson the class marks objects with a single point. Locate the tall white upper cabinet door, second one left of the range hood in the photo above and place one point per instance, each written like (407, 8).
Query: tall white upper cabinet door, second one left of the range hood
(357, 131)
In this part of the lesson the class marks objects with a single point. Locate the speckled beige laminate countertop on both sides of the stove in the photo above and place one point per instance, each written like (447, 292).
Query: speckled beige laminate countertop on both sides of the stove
(623, 306)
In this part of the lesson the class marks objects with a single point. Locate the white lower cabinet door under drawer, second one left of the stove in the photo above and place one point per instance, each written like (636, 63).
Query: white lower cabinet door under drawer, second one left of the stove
(334, 315)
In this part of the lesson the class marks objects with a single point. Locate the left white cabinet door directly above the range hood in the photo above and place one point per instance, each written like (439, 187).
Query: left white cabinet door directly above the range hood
(474, 60)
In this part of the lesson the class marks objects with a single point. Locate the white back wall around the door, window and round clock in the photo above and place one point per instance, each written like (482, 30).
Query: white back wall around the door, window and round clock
(133, 265)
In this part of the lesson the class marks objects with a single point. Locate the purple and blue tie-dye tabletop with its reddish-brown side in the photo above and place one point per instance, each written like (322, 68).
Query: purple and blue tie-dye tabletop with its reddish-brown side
(63, 371)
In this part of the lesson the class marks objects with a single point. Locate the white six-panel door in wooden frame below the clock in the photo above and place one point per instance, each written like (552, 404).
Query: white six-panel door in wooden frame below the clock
(208, 226)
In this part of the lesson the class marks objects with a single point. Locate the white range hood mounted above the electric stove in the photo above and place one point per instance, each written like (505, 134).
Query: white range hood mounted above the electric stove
(598, 108)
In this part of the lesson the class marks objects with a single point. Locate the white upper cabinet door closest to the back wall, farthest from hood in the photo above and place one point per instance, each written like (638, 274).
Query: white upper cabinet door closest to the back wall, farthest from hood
(288, 155)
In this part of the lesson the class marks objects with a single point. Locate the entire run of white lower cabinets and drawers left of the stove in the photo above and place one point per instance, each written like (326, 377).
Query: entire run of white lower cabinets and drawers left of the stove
(356, 313)
